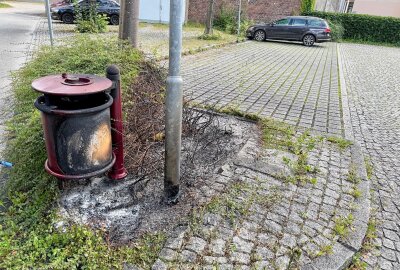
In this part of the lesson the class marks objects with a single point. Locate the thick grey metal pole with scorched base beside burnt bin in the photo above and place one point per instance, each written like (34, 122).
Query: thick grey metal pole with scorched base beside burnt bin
(173, 113)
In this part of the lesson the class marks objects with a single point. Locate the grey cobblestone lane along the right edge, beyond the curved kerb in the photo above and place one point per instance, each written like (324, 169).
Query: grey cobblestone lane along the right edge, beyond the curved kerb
(373, 83)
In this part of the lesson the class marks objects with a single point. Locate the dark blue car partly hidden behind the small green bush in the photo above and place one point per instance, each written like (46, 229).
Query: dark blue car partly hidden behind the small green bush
(107, 7)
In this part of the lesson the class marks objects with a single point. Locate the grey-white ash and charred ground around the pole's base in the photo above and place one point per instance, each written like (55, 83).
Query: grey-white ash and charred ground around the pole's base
(134, 206)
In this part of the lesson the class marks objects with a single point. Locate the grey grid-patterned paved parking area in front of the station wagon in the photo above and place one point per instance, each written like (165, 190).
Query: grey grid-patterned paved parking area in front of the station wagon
(285, 81)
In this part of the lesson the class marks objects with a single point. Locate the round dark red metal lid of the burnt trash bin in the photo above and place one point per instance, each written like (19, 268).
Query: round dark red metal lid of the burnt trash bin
(71, 84)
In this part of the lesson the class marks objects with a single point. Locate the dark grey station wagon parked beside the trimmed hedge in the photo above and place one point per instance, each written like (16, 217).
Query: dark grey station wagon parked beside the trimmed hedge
(296, 28)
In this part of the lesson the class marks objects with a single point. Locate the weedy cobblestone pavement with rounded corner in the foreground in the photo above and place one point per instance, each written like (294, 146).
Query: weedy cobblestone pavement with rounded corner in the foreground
(265, 223)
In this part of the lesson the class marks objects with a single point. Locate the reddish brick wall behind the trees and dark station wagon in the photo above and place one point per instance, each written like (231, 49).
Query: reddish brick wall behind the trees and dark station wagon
(257, 10)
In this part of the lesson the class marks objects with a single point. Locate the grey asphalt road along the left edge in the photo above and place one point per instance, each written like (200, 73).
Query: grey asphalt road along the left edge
(17, 26)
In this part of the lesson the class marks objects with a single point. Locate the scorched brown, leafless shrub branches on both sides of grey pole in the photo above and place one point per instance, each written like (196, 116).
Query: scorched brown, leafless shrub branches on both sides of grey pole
(202, 138)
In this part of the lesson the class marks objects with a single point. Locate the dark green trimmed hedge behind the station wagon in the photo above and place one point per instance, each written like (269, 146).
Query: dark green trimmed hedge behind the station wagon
(362, 27)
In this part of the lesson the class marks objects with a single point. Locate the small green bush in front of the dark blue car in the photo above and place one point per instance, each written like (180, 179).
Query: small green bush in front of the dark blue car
(89, 21)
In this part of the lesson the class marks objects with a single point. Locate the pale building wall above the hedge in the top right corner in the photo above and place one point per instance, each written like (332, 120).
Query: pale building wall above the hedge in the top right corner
(377, 7)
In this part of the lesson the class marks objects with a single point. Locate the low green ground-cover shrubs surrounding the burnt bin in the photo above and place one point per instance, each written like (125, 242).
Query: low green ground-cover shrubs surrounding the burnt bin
(28, 239)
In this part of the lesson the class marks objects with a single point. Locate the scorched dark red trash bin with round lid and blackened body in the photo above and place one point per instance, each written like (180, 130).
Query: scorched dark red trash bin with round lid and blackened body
(75, 113)
